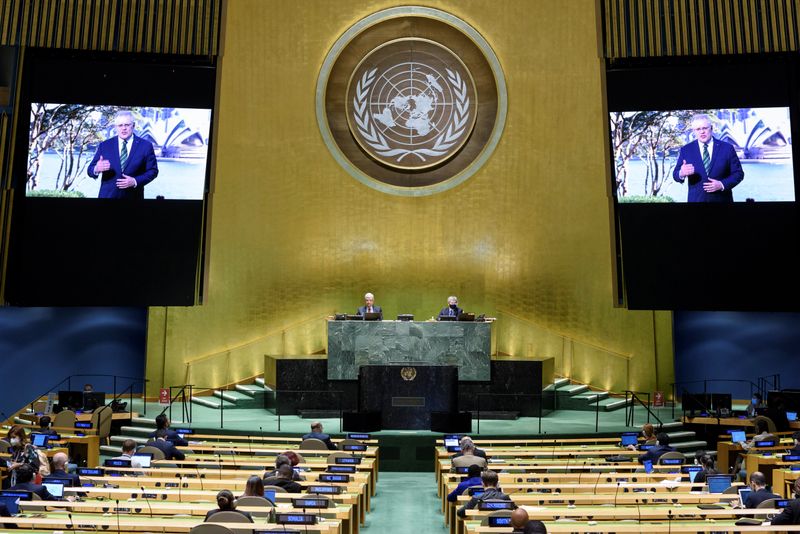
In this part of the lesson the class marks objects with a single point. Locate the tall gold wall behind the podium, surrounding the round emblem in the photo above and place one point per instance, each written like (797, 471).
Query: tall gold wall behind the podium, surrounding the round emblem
(293, 237)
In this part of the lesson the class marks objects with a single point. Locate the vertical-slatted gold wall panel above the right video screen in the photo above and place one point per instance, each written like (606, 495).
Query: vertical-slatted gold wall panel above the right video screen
(646, 28)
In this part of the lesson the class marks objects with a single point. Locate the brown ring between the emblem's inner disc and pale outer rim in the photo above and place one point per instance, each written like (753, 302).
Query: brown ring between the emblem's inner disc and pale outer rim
(410, 26)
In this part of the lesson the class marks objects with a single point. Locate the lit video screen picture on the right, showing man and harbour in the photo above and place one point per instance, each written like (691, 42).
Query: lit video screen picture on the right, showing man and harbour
(703, 155)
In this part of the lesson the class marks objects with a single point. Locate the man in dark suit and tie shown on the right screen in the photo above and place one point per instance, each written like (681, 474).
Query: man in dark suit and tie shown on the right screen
(710, 165)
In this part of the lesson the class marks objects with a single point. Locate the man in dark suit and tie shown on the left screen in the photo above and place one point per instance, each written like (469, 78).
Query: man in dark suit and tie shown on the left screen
(125, 163)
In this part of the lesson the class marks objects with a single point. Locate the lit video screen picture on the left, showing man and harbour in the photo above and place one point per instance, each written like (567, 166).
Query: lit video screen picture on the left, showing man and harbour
(112, 152)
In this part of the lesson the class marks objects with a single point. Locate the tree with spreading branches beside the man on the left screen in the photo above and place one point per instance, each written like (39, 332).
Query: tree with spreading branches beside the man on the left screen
(68, 131)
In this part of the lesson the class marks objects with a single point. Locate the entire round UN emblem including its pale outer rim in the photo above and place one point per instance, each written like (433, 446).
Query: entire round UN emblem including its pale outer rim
(411, 101)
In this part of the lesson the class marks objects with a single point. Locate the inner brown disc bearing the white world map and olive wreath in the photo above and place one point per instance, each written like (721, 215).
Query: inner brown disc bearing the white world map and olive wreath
(411, 103)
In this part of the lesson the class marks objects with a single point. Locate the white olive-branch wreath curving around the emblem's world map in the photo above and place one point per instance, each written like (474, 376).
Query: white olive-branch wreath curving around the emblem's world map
(444, 142)
